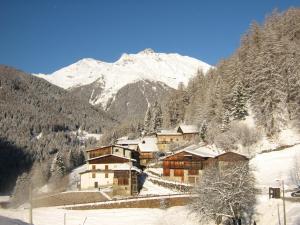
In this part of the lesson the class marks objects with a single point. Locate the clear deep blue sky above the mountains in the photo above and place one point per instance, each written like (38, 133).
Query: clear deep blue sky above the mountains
(43, 36)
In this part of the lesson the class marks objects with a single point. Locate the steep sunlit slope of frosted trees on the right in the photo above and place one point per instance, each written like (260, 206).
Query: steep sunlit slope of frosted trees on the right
(261, 77)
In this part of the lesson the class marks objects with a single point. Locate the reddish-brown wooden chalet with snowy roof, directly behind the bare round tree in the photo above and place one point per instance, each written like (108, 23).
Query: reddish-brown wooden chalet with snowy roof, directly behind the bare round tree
(187, 164)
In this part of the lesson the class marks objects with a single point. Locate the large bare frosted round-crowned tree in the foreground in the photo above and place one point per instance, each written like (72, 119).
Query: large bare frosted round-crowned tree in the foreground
(225, 195)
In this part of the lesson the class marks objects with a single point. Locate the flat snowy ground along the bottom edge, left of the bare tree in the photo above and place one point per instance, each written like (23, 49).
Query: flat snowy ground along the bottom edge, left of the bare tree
(54, 216)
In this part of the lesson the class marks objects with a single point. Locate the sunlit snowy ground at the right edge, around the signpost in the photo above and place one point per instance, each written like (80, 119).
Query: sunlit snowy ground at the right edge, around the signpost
(269, 168)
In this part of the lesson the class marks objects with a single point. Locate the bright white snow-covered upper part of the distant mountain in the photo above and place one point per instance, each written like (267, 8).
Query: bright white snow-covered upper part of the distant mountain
(109, 78)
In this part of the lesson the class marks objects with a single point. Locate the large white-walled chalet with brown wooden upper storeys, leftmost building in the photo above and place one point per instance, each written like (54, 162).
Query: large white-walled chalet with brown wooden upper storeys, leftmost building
(114, 166)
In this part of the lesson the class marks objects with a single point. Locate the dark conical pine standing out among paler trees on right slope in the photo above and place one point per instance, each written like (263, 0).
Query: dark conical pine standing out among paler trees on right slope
(239, 100)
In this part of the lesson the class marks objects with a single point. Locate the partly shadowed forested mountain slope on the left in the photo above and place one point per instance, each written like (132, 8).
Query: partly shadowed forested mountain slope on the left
(38, 123)
